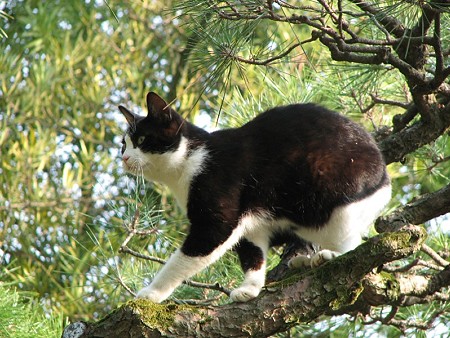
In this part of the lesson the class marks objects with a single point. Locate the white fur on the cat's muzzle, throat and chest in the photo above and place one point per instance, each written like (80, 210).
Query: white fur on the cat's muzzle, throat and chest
(176, 169)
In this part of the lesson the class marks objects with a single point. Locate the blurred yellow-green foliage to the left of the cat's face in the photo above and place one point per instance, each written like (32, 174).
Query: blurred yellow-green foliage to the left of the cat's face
(63, 70)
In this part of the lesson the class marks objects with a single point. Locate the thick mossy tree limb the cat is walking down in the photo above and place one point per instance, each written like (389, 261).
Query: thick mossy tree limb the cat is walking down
(299, 298)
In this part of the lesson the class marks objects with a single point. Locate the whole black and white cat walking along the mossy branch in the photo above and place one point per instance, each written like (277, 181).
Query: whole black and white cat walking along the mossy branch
(299, 169)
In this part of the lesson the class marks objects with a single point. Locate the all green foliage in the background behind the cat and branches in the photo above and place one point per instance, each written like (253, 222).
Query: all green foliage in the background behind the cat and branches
(66, 206)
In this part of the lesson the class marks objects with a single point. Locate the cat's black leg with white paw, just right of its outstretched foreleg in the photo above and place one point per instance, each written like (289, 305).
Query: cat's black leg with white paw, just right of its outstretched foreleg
(252, 253)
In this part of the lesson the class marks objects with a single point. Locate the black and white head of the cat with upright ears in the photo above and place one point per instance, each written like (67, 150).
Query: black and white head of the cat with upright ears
(151, 141)
